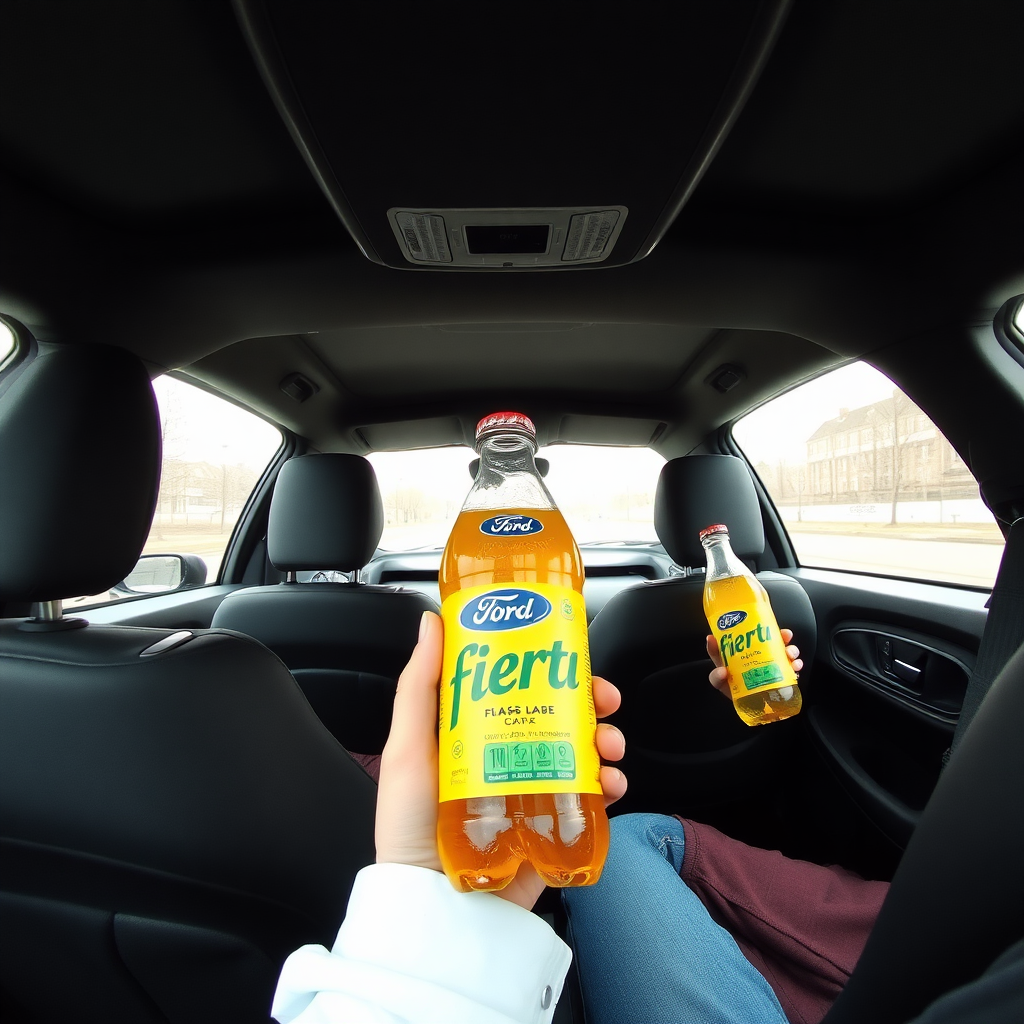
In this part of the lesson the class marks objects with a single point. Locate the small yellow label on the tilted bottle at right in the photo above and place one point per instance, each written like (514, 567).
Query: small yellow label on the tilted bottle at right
(752, 649)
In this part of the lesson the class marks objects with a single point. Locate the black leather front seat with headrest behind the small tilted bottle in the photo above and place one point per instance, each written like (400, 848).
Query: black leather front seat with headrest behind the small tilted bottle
(686, 743)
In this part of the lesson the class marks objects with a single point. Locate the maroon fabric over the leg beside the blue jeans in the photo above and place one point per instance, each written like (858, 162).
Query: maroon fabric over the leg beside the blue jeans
(801, 925)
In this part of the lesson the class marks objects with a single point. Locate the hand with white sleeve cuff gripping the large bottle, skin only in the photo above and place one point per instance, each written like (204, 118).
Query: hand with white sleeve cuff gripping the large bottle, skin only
(407, 801)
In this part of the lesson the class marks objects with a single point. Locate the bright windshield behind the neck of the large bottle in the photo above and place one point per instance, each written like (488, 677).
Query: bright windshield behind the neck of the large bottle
(607, 494)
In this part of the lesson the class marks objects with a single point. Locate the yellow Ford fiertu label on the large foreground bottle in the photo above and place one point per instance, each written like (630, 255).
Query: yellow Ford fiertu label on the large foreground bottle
(517, 700)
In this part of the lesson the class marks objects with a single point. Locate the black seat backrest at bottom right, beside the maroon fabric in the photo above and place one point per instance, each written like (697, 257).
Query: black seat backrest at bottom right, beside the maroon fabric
(957, 902)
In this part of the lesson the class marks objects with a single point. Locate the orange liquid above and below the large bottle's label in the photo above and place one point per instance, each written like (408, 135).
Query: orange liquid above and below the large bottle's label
(565, 836)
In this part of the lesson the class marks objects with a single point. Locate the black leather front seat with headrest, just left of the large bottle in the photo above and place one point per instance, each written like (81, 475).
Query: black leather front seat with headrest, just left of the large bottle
(347, 644)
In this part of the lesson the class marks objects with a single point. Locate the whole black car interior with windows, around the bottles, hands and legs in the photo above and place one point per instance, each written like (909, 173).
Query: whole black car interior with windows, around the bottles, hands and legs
(655, 230)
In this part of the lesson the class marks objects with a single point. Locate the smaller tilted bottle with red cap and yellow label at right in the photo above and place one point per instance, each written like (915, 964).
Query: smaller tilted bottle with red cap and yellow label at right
(761, 677)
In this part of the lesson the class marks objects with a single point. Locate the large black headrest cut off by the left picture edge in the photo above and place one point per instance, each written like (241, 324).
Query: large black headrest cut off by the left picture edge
(79, 472)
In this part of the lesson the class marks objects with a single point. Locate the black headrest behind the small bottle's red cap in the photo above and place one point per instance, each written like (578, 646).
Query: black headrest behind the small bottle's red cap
(700, 490)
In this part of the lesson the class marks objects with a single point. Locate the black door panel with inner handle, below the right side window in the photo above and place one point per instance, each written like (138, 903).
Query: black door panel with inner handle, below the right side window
(893, 662)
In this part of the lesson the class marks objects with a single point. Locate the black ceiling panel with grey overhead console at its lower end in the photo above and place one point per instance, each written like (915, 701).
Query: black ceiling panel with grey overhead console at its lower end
(467, 137)
